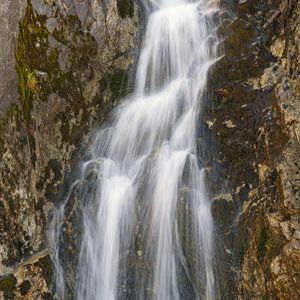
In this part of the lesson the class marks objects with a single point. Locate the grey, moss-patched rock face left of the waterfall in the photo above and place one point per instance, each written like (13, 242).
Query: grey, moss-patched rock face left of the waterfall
(64, 65)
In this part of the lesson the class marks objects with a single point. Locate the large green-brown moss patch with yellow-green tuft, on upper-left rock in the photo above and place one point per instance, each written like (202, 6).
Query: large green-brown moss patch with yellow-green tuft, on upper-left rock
(33, 53)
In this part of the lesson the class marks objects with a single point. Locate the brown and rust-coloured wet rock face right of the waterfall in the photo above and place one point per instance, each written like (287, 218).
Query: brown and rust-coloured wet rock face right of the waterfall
(255, 117)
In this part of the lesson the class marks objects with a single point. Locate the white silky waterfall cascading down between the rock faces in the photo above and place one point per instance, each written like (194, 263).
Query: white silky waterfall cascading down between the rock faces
(147, 223)
